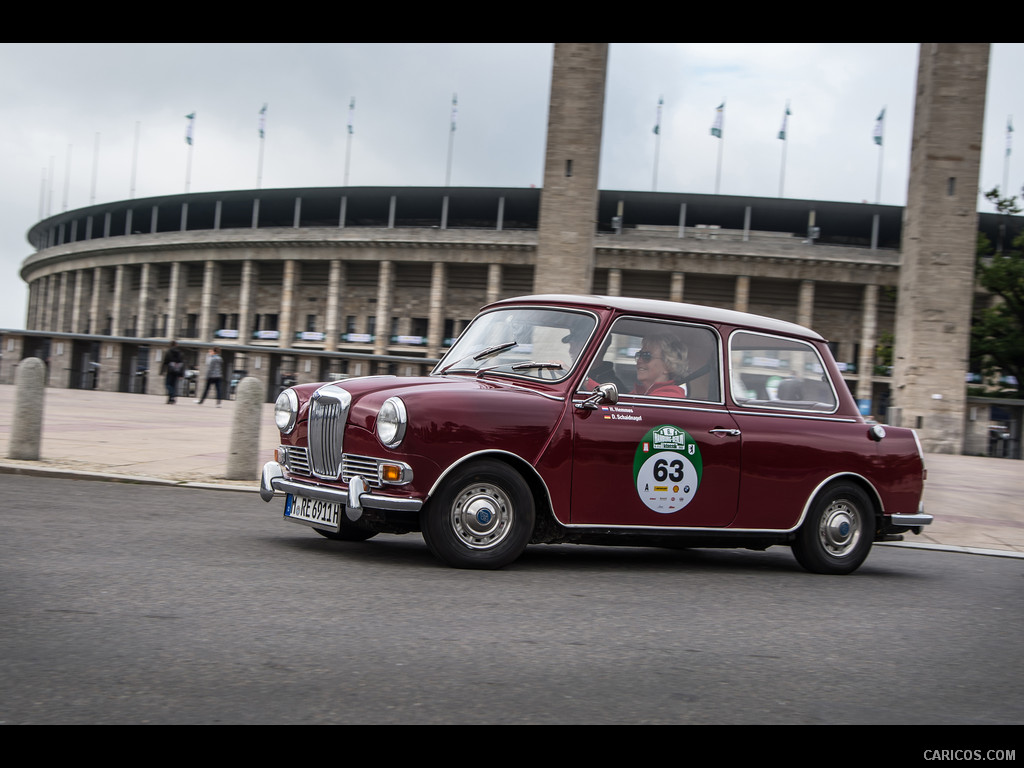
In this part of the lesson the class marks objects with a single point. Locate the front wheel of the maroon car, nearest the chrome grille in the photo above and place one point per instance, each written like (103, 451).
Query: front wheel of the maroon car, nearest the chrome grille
(483, 518)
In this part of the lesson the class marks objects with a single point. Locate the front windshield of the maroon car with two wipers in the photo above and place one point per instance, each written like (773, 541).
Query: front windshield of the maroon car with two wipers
(530, 343)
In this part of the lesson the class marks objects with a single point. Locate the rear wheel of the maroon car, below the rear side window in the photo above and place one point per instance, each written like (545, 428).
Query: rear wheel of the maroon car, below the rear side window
(837, 536)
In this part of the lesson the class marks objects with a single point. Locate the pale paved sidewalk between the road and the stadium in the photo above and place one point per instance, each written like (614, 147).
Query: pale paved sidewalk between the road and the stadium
(978, 503)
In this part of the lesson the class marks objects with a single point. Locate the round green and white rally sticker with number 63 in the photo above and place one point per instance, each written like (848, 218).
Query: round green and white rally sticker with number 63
(667, 468)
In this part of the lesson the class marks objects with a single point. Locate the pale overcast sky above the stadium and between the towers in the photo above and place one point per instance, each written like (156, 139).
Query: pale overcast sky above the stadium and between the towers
(56, 100)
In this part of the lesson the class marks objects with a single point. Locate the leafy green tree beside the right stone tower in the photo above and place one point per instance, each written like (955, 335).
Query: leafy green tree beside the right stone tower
(998, 332)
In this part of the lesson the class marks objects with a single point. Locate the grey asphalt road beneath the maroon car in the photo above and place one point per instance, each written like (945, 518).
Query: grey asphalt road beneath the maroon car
(124, 604)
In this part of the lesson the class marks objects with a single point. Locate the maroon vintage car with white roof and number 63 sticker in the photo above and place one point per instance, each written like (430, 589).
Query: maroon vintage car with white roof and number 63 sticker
(604, 420)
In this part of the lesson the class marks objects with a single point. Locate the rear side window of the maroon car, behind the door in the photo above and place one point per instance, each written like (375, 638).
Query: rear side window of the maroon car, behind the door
(775, 372)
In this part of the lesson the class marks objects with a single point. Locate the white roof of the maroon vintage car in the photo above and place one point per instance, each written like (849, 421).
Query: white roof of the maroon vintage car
(673, 310)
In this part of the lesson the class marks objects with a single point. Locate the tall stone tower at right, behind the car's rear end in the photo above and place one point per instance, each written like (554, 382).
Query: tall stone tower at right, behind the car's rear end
(936, 280)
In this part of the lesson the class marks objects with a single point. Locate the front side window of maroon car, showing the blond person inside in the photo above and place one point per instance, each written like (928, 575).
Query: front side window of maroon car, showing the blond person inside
(659, 360)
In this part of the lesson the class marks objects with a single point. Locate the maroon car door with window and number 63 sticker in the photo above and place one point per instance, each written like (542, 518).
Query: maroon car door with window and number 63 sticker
(668, 453)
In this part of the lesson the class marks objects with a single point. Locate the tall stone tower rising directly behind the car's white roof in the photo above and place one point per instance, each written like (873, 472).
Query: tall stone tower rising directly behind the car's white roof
(569, 200)
